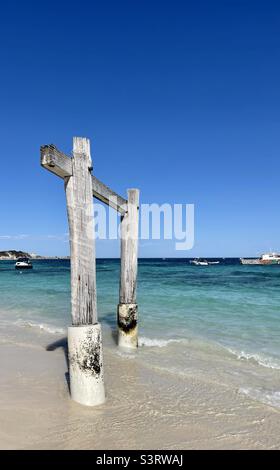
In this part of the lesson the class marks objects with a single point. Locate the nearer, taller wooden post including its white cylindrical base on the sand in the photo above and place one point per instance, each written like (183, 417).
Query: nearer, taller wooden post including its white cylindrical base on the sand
(84, 336)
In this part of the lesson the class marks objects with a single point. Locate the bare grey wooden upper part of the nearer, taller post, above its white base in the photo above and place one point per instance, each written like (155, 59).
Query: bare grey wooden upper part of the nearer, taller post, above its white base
(78, 188)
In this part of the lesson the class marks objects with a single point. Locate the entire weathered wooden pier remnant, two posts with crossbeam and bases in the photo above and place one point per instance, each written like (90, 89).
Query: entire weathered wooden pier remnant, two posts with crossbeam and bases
(84, 335)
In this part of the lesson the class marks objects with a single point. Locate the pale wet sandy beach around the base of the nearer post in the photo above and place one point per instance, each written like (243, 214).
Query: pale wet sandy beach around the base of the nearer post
(145, 408)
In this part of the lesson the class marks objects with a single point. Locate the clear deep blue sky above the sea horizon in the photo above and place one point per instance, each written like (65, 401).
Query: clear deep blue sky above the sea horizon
(179, 98)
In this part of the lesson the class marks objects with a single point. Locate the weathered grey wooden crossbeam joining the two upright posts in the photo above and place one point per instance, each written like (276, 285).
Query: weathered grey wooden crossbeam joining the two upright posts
(61, 165)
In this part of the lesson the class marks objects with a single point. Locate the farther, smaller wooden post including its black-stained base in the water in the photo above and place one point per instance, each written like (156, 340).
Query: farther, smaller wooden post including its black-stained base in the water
(127, 308)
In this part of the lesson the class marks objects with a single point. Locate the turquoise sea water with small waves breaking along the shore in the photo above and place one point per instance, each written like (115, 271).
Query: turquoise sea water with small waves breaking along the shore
(221, 320)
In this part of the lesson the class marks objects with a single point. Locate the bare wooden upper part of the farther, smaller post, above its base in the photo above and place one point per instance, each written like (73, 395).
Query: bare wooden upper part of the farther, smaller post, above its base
(129, 249)
